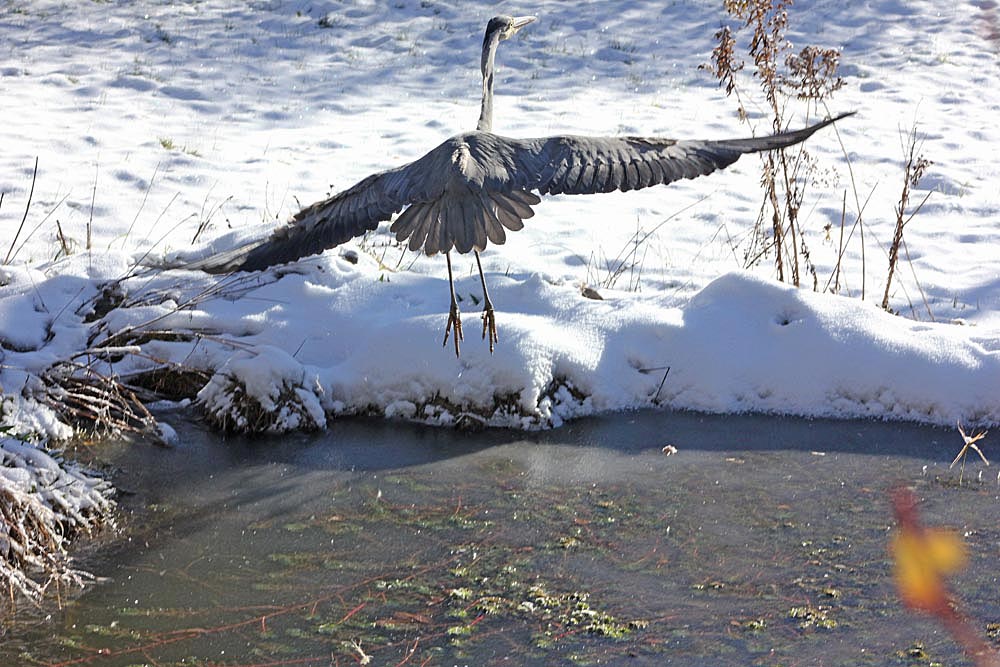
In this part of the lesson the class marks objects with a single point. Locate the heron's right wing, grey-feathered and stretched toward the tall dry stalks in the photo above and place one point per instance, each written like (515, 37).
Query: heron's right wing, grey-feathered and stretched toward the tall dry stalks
(587, 165)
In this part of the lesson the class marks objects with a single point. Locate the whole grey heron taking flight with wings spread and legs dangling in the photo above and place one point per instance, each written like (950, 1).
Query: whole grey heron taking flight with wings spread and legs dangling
(476, 186)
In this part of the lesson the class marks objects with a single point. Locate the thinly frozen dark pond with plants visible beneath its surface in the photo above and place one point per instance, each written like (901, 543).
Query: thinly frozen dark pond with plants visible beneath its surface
(761, 541)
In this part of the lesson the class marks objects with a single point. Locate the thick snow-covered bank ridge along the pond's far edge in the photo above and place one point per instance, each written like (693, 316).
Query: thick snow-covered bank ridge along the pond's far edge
(288, 348)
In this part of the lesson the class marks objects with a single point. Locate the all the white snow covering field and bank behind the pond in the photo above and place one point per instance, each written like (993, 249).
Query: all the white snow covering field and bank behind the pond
(160, 126)
